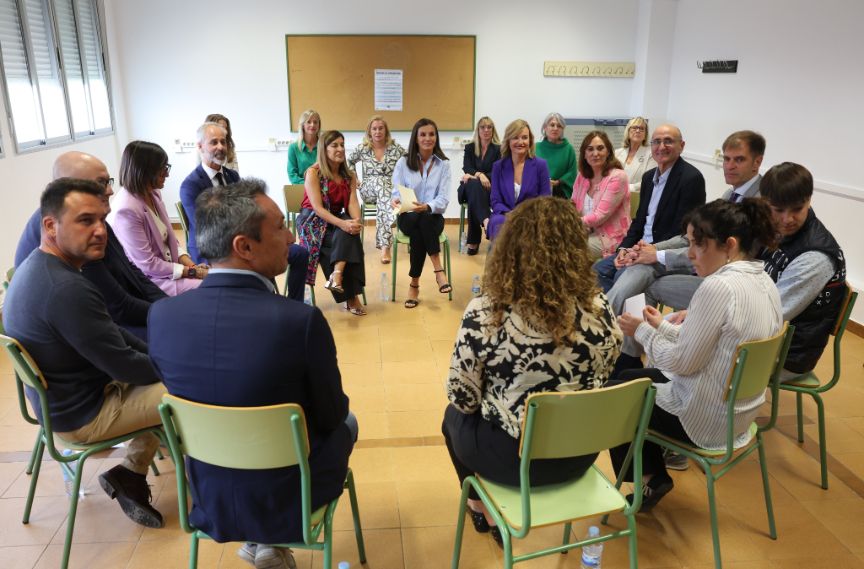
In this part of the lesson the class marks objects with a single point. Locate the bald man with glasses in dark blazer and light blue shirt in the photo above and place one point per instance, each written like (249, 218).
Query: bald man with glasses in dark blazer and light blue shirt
(668, 193)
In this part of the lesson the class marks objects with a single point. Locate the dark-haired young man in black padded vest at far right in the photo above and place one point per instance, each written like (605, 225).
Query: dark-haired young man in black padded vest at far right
(808, 267)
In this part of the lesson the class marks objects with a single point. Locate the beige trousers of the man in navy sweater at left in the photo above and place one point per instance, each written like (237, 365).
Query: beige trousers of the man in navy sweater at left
(126, 408)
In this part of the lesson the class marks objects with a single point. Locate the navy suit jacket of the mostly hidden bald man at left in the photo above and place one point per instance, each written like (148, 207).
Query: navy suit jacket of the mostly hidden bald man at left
(128, 293)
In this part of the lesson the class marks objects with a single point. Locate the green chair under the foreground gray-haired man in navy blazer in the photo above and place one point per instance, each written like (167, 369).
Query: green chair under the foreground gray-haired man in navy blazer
(252, 438)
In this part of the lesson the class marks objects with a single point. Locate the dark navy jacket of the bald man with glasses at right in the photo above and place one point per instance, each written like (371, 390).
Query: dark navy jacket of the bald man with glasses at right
(684, 191)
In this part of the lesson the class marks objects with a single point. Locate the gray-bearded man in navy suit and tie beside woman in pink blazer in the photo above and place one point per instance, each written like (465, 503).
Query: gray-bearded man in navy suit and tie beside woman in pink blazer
(213, 146)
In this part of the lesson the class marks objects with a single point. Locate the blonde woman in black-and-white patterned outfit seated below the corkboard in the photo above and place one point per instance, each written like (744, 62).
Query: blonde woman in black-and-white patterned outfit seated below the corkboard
(378, 154)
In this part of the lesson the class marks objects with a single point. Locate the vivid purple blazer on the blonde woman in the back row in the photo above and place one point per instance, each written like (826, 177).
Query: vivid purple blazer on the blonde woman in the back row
(535, 183)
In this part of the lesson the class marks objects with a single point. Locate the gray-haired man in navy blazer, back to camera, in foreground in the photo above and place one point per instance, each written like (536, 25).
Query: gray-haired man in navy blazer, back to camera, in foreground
(252, 348)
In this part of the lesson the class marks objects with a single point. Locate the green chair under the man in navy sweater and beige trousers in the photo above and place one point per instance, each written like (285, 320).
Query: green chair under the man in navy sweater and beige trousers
(27, 372)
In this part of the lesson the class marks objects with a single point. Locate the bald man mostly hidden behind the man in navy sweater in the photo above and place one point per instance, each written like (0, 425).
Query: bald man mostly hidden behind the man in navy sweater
(128, 293)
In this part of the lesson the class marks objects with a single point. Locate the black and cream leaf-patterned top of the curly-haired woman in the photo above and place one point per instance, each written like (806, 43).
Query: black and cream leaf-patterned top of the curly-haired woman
(496, 369)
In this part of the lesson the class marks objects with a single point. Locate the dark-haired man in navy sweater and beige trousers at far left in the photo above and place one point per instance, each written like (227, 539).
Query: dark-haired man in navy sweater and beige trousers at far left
(101, 383)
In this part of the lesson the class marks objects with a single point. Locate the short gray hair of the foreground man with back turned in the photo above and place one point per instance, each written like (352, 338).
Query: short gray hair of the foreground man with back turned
(224, 212)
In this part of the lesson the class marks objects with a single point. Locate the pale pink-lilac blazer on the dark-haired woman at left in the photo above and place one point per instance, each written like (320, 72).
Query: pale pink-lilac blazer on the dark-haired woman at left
(131, 220)
